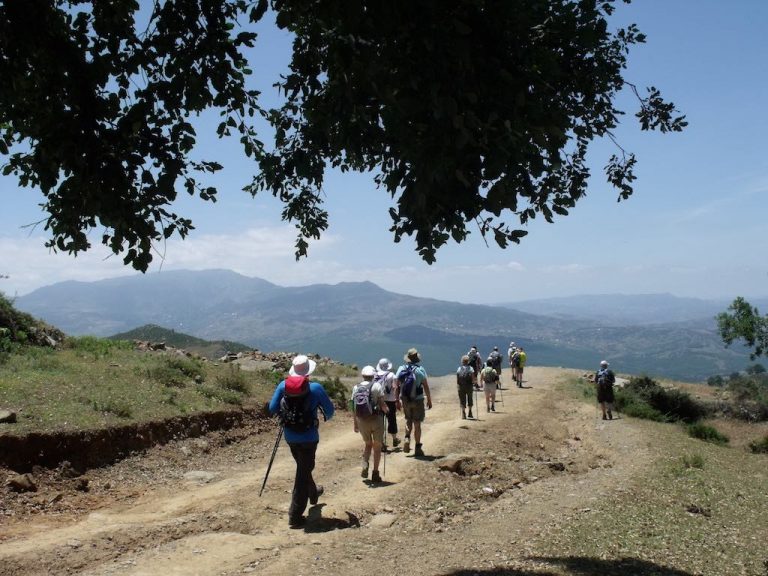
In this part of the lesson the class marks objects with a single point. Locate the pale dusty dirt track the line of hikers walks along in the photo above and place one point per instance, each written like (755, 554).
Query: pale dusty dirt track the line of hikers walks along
(539, 459)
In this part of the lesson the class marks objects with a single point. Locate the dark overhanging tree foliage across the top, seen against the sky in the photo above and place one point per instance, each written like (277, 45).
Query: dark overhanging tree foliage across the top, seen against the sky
(467, 113)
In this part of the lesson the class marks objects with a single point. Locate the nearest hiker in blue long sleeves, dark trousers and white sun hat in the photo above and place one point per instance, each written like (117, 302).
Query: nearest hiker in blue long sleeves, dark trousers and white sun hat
(297, 400)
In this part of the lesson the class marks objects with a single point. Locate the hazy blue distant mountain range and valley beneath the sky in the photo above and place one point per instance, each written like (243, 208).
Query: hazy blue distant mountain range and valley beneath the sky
(360, 322)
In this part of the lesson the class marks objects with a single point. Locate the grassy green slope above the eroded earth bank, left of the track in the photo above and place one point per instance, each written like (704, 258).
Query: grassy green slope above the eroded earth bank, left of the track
(89, 382)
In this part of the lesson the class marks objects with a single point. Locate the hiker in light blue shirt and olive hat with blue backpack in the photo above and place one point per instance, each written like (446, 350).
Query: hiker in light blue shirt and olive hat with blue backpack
(412, 380)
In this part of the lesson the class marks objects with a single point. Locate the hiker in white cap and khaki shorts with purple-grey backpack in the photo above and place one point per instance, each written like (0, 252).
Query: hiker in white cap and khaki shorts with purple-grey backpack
(368, 415)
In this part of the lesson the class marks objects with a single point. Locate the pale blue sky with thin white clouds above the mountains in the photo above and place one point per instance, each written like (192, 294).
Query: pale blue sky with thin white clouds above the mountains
(696, 225)
